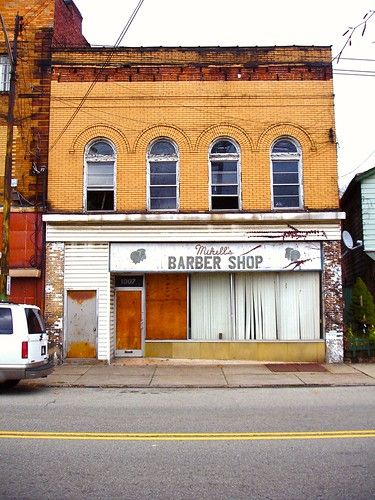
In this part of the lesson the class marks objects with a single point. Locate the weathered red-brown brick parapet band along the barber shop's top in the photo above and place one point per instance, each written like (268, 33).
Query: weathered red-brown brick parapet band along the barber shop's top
(148, 64)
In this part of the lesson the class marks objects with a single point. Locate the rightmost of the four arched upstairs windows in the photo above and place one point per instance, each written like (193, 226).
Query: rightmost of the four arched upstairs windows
(286, 162)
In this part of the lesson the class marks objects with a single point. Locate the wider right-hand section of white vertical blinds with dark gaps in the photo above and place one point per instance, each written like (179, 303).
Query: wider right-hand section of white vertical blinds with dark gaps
(271, 306)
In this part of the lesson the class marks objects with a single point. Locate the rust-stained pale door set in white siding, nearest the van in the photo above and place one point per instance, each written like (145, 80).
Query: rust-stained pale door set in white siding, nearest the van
(81, 329)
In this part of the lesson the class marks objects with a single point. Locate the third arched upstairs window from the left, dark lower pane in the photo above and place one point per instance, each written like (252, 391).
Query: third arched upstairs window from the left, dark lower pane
(224, 175)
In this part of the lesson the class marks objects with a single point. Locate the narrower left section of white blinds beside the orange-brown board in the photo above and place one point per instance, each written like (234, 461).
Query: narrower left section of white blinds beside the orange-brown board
(210, 306)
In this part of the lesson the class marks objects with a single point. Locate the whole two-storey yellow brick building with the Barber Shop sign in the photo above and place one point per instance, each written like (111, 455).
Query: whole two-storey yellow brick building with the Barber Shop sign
(193, 207)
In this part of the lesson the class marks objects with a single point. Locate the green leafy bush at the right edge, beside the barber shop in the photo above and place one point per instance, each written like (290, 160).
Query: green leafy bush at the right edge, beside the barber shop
(362, 310)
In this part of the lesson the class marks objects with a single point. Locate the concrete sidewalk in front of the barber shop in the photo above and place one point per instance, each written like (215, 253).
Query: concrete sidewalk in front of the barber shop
(140, 373)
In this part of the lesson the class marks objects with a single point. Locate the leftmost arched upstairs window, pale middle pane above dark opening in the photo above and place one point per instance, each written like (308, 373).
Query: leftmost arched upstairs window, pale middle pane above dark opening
(100, 176)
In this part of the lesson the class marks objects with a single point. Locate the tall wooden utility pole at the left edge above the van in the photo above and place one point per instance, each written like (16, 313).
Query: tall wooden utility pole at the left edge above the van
(4, 261)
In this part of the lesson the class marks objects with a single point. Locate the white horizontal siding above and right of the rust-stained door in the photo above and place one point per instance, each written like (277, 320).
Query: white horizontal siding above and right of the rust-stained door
(87, 267)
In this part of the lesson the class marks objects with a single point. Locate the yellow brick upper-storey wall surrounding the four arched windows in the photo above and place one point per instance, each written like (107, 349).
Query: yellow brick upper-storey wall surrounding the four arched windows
(193, 114)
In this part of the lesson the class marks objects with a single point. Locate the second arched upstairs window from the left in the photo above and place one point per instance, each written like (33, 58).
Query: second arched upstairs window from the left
(162, 175)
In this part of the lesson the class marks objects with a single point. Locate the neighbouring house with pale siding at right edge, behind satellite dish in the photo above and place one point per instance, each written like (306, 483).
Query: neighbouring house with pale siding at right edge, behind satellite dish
(358, 202)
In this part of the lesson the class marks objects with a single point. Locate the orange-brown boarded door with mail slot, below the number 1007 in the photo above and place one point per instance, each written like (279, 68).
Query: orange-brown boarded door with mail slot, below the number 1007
(128, 322)
